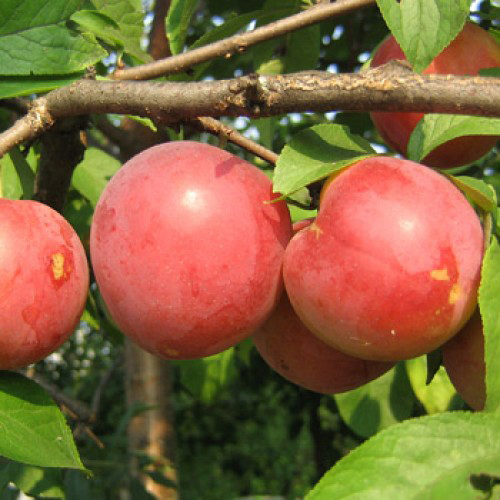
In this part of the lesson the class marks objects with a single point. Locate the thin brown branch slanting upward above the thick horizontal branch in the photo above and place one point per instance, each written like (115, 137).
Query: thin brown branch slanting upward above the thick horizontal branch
(239, 43)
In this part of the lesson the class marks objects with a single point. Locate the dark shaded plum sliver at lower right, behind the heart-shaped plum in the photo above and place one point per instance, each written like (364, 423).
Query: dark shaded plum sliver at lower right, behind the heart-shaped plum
(463, 359)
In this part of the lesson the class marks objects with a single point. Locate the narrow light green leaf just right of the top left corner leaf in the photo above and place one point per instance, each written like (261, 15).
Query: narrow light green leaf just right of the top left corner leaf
(106, 29)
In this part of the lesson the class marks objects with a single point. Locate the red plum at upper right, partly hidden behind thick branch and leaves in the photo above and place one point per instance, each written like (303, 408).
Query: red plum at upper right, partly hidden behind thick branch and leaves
(472, 50)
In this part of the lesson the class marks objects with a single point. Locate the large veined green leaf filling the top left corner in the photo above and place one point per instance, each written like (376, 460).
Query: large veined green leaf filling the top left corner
(36, 40)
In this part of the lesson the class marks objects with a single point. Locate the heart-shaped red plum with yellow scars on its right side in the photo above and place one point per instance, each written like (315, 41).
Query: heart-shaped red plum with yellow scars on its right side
(391, 266)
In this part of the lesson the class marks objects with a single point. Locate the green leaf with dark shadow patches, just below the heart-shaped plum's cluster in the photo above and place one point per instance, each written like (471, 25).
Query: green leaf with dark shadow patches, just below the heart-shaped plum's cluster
(378, 404)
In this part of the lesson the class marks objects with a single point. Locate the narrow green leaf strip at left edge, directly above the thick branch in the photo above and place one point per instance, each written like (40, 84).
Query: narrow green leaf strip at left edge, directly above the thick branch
(11, 86)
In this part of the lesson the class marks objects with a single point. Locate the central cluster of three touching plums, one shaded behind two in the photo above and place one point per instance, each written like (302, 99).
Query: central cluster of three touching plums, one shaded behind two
(193, 253)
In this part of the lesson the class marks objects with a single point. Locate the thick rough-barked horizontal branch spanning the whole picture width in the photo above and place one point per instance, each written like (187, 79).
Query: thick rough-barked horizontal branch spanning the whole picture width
(380, 89)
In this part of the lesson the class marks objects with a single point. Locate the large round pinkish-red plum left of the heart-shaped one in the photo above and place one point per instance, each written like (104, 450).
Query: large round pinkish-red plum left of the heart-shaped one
(186, 250)
